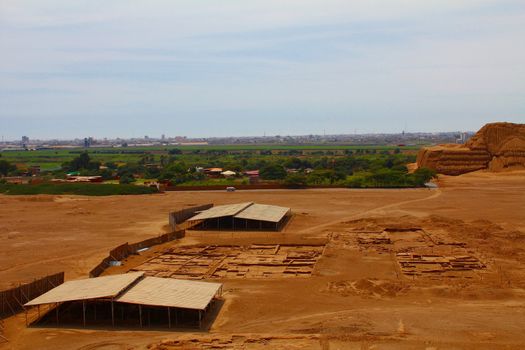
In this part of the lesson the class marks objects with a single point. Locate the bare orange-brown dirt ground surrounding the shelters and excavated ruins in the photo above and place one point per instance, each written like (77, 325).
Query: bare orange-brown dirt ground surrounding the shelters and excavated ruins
(400, 269)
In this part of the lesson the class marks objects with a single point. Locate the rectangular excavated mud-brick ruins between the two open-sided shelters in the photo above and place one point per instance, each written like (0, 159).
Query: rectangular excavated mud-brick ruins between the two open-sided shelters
(253, 261)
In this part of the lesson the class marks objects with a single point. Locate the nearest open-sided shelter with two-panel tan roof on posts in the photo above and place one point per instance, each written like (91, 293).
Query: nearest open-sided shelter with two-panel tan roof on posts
(122, 298)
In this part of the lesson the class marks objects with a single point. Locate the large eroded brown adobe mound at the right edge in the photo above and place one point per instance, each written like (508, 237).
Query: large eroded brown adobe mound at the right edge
(496, 146)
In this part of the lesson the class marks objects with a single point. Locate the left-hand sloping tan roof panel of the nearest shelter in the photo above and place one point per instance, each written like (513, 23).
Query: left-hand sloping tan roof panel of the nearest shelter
(90, 288)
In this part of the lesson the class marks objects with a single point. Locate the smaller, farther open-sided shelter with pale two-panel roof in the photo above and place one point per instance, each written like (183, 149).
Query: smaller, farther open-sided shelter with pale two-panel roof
(242, 216)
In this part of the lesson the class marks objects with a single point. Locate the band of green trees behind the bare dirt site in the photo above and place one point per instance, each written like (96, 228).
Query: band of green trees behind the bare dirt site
(380, 170)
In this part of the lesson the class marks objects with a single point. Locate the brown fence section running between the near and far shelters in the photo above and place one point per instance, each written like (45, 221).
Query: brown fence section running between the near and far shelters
(124, 250)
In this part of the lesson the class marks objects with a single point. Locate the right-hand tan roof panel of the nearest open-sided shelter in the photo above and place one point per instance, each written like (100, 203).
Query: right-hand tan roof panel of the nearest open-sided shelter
(169, 292)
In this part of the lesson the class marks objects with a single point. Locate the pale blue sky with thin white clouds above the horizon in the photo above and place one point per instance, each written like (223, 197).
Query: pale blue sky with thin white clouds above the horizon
(201, 68)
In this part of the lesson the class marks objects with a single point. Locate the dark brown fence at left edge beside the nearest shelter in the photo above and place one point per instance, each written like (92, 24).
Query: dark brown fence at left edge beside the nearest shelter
(13, 300)
